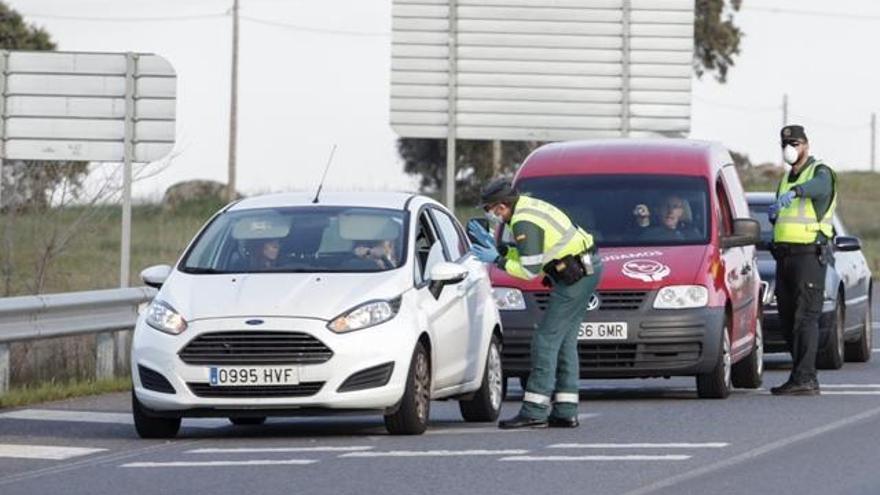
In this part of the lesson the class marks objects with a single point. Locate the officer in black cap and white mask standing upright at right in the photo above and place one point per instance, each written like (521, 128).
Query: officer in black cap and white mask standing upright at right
(802, 230)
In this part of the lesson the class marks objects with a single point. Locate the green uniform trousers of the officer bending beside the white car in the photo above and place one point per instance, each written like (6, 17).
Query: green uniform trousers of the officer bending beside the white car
(553, 384)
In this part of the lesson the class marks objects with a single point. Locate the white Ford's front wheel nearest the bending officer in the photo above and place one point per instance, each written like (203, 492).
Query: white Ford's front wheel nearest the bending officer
(411, 417)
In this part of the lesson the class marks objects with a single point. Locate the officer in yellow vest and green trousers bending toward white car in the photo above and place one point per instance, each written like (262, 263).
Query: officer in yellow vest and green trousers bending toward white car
(548, 244)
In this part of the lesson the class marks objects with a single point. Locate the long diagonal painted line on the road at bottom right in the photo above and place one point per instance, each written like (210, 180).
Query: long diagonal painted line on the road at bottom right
(754, 453)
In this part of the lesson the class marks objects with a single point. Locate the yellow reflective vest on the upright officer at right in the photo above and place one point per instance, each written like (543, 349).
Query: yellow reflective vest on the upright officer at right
(798, 223)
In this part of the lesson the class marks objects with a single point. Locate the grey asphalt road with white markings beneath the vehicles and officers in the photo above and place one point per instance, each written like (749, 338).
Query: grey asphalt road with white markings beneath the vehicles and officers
(636, 437)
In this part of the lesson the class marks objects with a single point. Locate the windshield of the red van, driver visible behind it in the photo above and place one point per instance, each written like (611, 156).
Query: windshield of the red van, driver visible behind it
(630, 210)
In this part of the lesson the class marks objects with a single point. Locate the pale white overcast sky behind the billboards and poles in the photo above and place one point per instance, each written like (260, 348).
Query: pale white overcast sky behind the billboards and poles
(304, 87)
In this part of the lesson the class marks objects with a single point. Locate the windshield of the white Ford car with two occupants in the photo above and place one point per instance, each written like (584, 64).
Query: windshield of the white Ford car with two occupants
(300, 239)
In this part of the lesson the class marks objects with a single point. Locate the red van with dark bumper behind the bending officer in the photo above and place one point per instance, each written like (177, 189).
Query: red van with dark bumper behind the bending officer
(680, 293)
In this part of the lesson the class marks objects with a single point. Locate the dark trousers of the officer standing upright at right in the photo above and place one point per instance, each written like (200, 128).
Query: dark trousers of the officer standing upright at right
(800, 289)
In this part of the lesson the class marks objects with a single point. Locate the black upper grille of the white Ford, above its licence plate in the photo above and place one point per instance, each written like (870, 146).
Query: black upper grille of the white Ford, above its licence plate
(257, 348)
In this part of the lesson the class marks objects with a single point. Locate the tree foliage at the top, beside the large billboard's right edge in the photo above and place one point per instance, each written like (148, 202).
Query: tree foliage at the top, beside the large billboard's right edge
(716, 37)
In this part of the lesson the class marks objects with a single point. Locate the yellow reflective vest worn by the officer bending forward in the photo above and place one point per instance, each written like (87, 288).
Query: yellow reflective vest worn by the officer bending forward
(561, 236)
